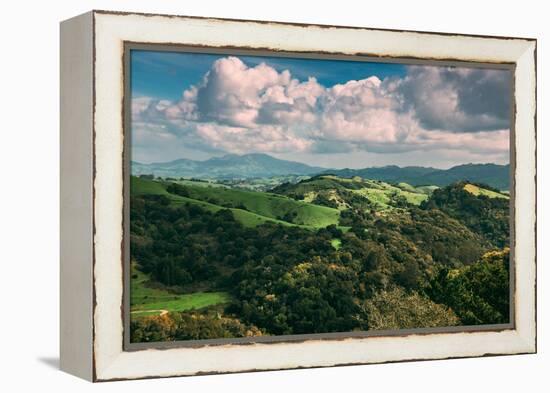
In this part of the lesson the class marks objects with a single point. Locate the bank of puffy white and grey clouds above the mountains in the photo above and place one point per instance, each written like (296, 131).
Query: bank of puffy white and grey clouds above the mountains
(239, 109)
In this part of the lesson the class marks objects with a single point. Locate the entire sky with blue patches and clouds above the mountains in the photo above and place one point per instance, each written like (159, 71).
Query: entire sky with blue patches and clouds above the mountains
(321, 112)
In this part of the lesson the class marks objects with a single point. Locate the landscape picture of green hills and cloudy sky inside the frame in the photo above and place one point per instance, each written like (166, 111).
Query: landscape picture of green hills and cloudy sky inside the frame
(276, 196)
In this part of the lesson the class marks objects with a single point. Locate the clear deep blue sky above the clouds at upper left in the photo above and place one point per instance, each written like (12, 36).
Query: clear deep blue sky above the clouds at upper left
(164, 75)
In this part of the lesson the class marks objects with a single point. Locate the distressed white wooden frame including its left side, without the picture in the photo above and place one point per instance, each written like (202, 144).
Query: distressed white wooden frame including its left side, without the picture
(92, 196)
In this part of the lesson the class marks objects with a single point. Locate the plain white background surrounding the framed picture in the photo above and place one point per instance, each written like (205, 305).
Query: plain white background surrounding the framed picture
(29, 195)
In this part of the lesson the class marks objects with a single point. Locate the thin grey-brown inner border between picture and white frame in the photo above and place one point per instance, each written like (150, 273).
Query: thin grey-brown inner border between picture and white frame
(128, 46)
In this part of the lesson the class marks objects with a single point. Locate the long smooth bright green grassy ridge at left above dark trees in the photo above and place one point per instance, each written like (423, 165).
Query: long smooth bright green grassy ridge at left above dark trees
(249, 207)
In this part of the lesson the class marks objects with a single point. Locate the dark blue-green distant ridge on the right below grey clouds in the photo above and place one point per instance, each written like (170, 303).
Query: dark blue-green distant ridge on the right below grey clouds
(497, 176)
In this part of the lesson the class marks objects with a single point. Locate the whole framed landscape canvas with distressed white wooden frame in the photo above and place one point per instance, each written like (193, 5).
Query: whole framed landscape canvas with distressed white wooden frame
(246, 195)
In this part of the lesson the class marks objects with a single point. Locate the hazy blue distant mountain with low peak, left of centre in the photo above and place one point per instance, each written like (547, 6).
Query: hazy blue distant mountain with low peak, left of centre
(227, 167)
